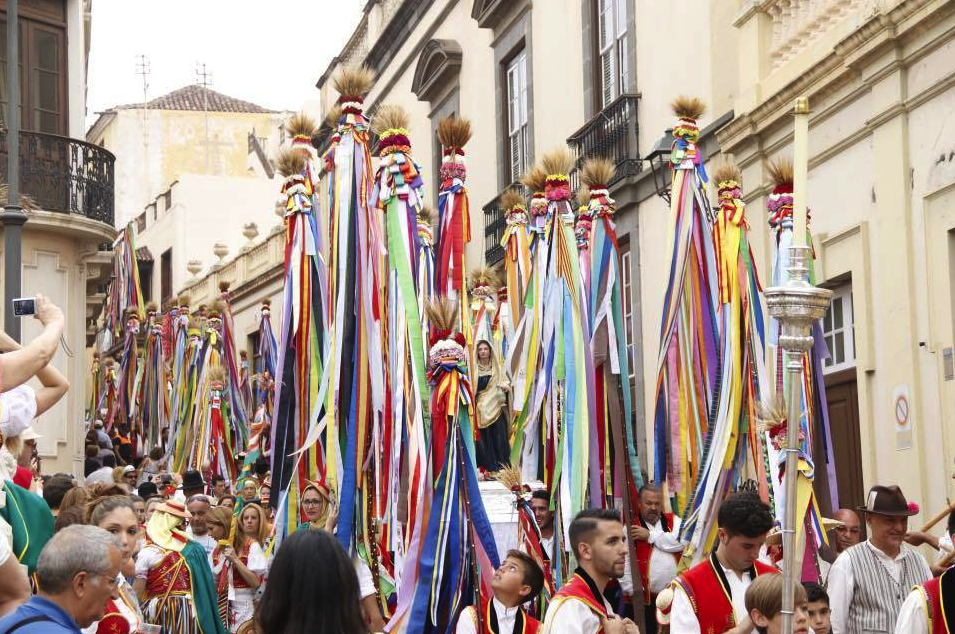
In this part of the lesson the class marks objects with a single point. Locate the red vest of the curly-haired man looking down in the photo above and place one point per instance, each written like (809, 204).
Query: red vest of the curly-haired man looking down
(709, 593)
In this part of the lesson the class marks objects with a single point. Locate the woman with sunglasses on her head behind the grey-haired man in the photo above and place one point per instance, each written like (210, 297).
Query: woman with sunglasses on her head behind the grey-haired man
(117, 515)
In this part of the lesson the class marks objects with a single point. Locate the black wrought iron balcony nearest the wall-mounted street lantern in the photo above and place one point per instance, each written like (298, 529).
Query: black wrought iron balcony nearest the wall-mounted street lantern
(612, 133)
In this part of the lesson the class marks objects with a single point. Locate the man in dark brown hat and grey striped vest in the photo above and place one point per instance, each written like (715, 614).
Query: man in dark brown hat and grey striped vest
(869, 581)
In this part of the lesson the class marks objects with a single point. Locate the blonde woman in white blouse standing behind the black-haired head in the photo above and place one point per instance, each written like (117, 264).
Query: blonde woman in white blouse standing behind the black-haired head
(239, 567)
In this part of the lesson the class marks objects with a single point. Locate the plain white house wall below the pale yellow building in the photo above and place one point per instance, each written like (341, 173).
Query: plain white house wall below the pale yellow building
(207, 210)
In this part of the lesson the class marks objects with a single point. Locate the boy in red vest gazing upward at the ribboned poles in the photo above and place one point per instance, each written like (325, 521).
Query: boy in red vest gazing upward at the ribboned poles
(518, 580)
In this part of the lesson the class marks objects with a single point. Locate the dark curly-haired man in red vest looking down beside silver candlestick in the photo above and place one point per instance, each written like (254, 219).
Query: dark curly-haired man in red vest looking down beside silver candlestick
(710, 596)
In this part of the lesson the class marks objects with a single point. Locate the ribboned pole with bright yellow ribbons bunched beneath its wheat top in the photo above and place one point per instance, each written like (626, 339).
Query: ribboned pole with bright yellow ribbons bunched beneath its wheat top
(735, 443)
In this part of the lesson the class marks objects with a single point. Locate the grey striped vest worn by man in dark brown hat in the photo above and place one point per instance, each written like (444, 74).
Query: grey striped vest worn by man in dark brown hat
(877, 597)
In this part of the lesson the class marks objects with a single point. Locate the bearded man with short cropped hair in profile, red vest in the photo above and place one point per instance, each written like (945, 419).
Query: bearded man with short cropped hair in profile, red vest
(579, 607)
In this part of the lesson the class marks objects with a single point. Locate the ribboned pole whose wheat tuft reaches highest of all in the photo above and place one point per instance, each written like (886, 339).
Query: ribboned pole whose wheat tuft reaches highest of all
(356, 388)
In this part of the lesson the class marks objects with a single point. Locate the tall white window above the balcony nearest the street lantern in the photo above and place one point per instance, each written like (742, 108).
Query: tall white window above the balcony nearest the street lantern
(612, 53)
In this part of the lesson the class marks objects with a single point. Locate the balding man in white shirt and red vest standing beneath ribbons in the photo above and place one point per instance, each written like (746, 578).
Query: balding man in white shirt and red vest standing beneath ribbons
(658, 552)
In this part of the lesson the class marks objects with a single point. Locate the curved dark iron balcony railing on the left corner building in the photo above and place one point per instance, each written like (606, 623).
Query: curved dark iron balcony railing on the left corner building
(64, 175)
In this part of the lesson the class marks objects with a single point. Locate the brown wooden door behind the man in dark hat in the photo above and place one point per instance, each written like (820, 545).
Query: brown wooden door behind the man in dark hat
(843, 400)
